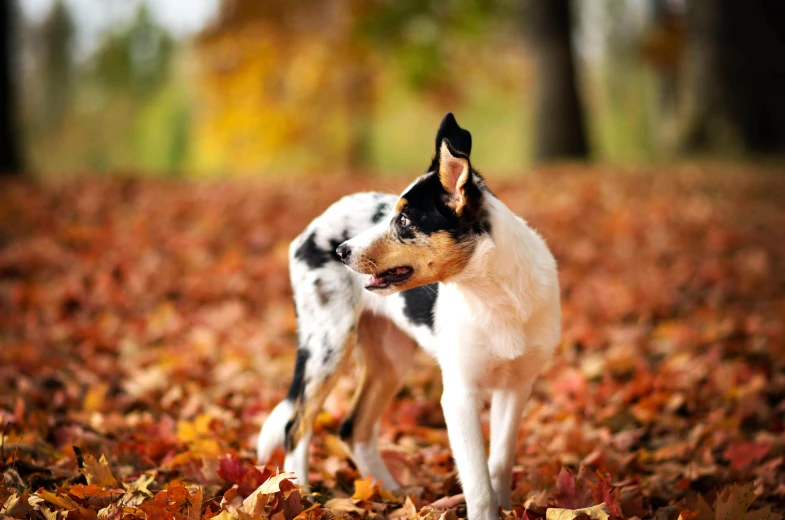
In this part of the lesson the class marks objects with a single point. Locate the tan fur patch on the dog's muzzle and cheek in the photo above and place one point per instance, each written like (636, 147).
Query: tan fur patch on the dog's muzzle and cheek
(434, 258)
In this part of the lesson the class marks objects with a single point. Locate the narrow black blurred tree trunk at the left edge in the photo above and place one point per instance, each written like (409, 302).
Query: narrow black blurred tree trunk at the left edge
(10, 160)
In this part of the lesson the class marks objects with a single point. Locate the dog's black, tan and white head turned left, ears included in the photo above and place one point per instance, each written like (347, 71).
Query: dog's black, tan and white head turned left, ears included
(435, 226)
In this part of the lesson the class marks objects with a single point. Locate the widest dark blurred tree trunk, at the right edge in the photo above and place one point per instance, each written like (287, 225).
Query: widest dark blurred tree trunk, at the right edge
(737, 85)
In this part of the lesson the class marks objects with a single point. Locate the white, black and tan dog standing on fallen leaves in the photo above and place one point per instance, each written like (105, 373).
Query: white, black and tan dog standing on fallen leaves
(446, 266)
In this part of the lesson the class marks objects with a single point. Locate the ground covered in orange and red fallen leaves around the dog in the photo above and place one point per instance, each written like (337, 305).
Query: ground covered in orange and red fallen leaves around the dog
(146, 330)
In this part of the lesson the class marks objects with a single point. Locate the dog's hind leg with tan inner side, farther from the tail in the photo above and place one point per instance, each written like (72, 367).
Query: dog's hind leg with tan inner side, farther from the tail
(384, 357)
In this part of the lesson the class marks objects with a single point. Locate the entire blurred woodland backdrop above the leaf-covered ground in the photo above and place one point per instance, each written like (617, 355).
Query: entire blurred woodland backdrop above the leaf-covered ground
(265, 88)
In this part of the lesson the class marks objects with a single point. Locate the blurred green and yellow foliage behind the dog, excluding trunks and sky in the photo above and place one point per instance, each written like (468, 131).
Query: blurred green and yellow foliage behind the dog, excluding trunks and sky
(137, 102)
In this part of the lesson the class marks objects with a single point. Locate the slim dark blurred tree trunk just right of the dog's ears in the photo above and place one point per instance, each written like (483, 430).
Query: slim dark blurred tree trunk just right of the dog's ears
(559, 130)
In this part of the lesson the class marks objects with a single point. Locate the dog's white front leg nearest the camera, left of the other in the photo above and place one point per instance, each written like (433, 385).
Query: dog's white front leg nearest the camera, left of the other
(461, 405)
